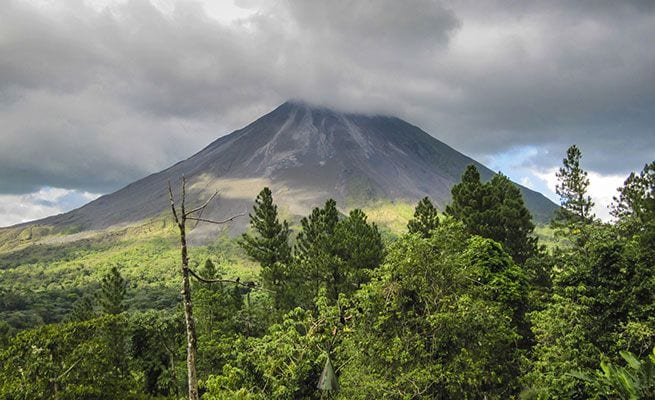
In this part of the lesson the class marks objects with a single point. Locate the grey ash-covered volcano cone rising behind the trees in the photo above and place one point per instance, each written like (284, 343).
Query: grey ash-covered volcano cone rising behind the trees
(306, 155)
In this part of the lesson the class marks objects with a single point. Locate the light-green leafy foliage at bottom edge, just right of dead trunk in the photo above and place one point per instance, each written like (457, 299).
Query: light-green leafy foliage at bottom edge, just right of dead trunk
(286, 363)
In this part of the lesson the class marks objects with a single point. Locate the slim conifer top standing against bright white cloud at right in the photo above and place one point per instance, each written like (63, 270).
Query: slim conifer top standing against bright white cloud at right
(576, 204)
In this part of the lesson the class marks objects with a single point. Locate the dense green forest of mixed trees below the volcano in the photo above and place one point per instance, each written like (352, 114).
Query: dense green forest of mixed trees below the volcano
(465, 303)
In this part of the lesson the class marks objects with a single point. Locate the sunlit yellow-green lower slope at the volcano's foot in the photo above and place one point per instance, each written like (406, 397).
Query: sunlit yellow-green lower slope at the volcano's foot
(43, 272)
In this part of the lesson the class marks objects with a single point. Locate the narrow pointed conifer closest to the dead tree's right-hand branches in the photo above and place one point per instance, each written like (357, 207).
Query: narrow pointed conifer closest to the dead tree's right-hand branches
(269, 245)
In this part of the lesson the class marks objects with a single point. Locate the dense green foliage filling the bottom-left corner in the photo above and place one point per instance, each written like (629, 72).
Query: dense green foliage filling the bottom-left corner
(64, 361)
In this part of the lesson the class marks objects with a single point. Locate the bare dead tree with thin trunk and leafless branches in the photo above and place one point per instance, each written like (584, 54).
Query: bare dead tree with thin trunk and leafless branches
(180, 220)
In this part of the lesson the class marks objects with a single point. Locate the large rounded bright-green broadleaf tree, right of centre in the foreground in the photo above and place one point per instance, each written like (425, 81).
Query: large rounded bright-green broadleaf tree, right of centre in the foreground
(429, 326)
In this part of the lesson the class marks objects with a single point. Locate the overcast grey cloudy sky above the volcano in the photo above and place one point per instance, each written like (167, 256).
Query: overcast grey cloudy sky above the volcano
(96, 94)
